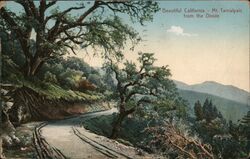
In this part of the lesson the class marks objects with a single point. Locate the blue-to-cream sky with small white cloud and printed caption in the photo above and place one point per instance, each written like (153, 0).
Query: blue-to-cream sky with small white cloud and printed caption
(196, 49)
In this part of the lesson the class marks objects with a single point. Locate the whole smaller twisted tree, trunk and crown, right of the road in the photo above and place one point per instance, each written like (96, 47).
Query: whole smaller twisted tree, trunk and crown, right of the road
(139, 86)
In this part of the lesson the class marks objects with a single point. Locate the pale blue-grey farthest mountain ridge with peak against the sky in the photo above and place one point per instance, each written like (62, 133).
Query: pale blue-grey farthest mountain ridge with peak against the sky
(225, 91)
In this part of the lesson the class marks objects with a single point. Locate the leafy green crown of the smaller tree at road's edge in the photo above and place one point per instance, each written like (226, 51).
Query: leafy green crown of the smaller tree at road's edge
(144, 87)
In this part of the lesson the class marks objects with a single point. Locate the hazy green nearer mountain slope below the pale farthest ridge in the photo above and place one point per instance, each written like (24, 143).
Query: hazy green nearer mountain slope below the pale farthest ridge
(231, 110)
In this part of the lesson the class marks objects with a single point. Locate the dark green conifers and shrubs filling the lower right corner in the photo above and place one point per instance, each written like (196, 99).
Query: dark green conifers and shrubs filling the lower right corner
(227, 140)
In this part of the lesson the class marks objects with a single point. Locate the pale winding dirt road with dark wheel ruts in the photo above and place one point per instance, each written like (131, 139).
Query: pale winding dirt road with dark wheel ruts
(68, 139)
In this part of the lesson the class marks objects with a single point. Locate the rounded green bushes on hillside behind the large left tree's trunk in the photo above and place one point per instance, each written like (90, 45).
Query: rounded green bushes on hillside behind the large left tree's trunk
(70, 71)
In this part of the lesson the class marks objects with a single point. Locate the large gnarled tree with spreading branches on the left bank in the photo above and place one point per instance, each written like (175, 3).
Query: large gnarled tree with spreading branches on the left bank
(60, 30)
